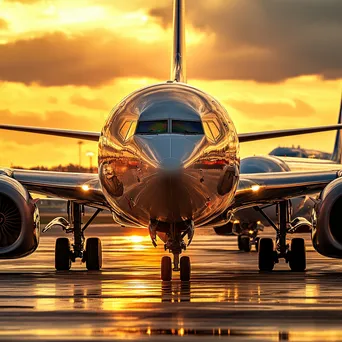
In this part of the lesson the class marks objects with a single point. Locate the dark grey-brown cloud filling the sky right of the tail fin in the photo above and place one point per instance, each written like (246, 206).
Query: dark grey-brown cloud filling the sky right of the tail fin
(264, 40)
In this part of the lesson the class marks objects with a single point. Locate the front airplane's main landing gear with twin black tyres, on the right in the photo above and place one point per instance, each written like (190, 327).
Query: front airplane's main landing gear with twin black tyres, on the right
(270, 253)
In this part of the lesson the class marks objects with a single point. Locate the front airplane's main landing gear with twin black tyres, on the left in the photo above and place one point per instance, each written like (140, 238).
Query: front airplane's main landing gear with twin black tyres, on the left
(65, 253)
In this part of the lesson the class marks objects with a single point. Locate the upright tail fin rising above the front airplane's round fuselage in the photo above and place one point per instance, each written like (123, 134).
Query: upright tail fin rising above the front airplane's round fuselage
(178, 63)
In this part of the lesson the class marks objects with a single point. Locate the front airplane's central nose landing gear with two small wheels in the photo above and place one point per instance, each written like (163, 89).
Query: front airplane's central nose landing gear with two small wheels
(175, 245)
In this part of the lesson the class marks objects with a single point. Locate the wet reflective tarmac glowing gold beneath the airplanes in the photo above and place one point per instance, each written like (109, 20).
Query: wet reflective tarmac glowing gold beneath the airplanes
(227, 297)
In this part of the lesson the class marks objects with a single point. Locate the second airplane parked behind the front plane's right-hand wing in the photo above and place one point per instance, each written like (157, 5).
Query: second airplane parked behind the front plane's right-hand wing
(248, 223)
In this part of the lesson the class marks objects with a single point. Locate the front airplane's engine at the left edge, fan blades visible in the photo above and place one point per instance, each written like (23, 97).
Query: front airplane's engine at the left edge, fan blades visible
(19, 219)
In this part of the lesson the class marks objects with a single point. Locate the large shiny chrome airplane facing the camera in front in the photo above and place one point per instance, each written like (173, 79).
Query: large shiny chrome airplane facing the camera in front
(168, 162)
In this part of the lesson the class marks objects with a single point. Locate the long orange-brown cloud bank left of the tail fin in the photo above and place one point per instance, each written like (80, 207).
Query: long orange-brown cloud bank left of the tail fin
(93, 58)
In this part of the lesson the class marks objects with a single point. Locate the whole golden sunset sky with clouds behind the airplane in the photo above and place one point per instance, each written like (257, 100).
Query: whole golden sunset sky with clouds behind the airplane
(273, 63)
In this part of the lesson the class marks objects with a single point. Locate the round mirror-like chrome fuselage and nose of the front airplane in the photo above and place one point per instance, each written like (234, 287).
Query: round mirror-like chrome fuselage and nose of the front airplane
(161, 174)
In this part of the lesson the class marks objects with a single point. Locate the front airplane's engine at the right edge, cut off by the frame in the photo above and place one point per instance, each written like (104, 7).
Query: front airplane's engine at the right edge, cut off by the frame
(327, 221)
